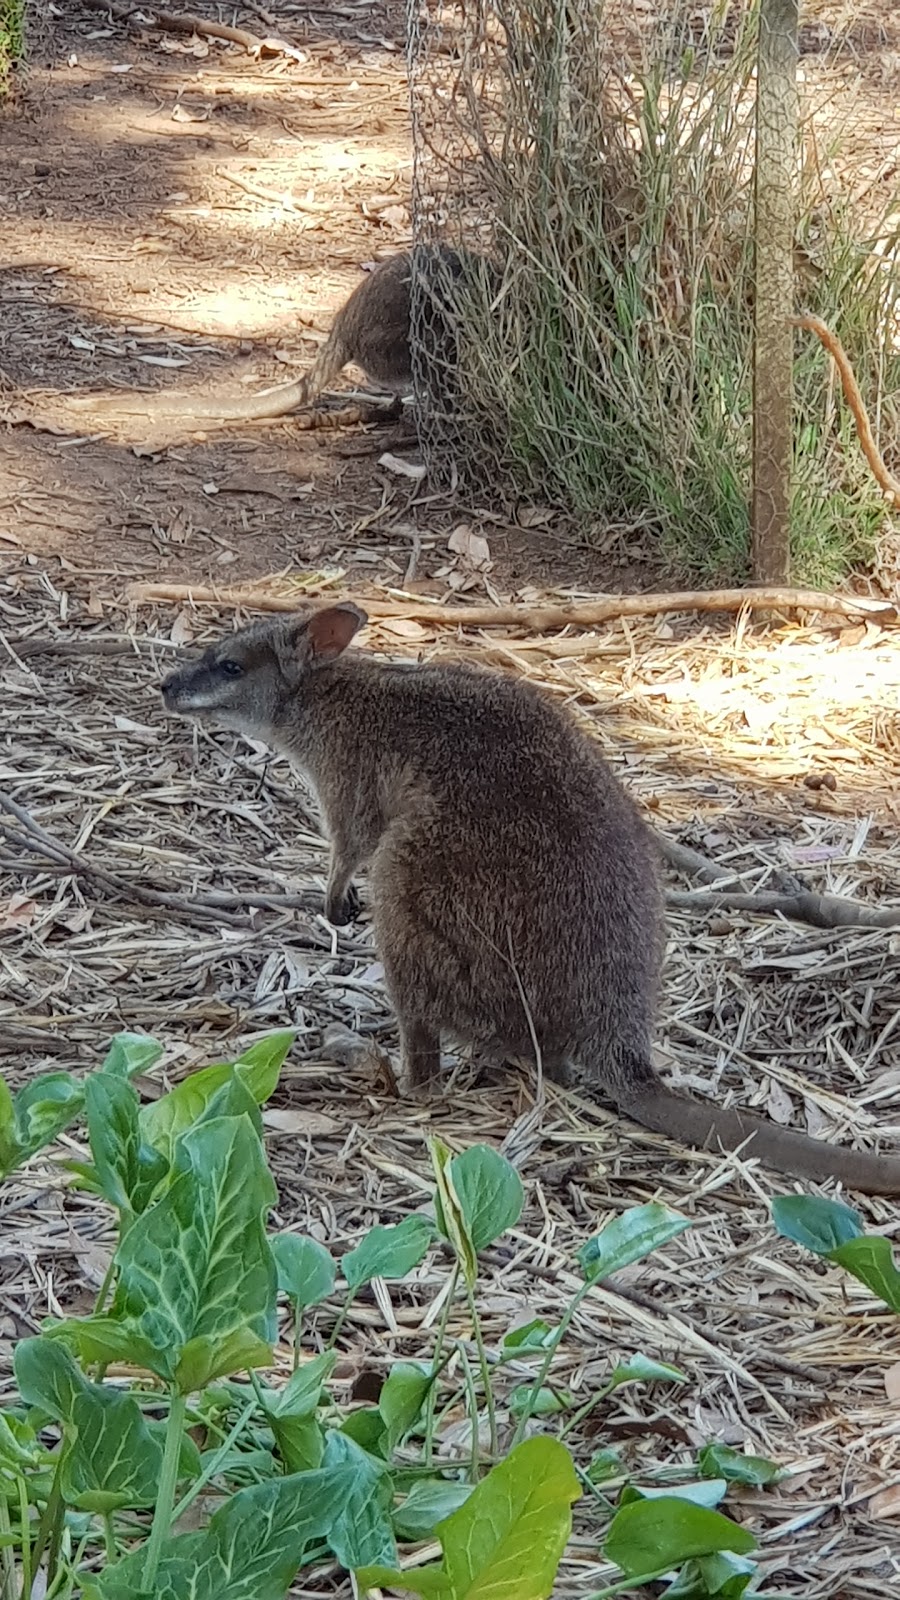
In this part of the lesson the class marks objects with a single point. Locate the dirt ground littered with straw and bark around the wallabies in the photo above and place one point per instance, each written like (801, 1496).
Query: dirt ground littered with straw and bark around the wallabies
(180, 214)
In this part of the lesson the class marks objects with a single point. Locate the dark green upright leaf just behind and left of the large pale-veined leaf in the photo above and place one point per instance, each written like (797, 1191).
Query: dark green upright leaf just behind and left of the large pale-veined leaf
(126, 1169)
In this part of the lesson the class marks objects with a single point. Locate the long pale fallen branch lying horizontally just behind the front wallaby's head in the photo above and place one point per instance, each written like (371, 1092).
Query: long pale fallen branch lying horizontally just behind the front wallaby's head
(577, 614)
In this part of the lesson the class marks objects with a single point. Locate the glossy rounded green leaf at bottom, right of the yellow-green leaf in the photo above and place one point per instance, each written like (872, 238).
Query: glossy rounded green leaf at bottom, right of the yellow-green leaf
(656, 1535)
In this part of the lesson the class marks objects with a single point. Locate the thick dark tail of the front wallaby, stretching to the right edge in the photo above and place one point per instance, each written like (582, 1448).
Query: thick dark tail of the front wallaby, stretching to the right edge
(654, 1106)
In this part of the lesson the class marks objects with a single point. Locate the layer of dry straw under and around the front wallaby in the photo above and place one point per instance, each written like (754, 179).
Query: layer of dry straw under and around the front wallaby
(713, 729)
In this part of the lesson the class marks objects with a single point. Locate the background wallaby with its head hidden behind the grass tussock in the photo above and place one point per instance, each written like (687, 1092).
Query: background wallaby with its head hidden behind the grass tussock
(372, 330)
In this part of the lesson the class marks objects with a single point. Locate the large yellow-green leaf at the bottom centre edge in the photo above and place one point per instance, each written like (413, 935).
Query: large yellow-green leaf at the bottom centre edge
(508, 1538)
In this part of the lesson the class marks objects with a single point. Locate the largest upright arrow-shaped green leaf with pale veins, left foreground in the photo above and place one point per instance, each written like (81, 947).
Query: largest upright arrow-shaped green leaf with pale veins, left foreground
(196, 1276)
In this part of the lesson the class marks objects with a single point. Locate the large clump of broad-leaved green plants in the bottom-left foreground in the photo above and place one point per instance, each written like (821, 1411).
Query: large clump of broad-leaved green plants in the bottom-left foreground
(126, 1417)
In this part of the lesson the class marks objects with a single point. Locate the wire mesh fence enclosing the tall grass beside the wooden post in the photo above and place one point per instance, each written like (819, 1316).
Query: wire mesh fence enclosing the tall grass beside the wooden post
(584, 273)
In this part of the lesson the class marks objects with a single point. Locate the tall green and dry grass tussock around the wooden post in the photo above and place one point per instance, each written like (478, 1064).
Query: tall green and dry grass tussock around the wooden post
(608, 369)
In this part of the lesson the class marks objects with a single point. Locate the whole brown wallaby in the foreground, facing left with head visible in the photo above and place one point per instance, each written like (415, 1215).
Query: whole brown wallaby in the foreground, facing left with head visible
(513, 882)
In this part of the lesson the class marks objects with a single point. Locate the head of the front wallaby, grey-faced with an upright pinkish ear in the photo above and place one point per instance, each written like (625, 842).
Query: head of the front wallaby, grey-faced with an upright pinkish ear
(246, 681)
